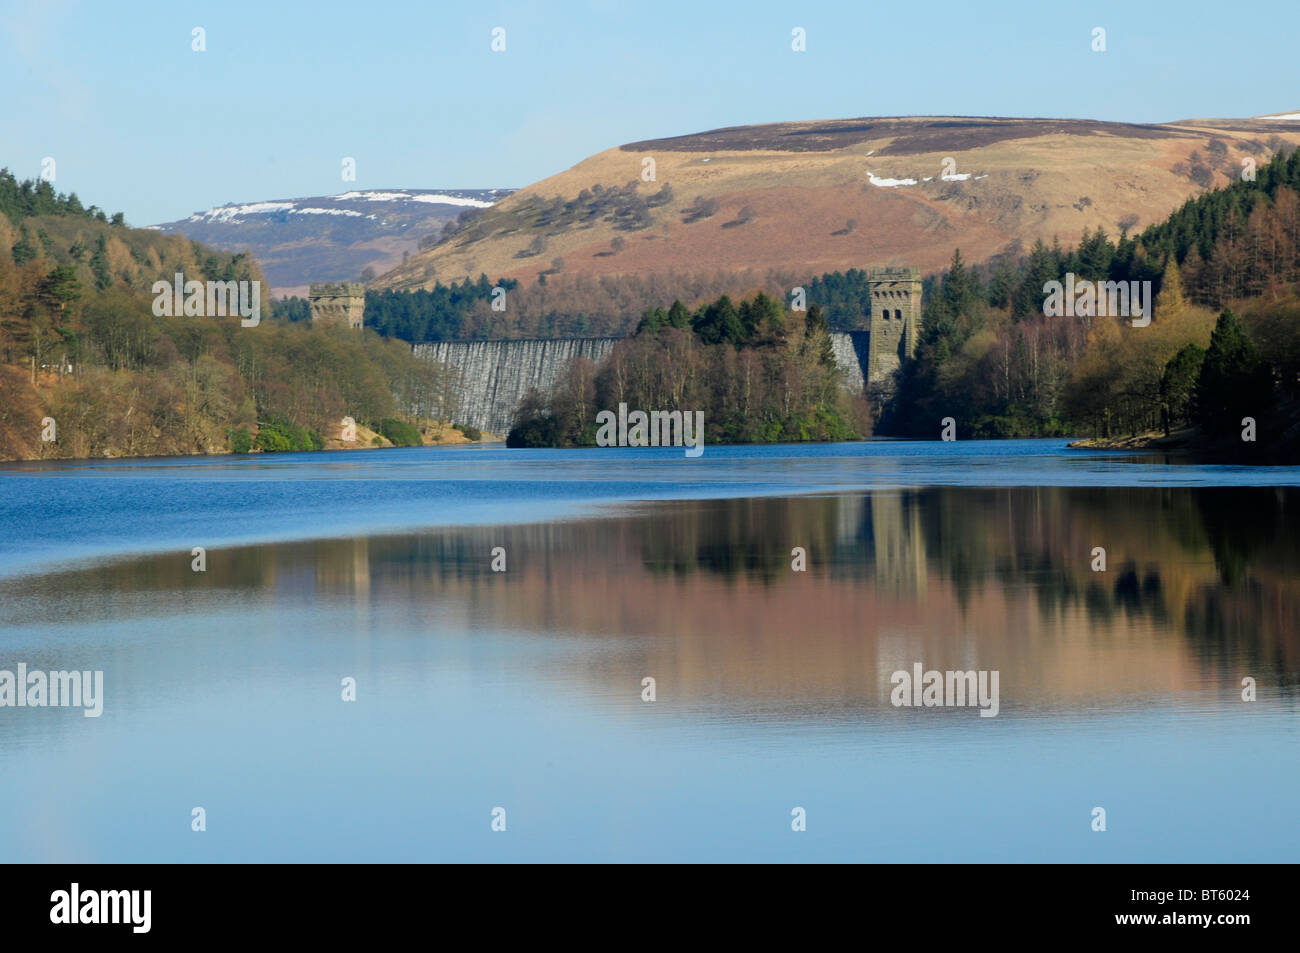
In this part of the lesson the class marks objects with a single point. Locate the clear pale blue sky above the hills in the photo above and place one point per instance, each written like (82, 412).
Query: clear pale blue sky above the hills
(138, 122)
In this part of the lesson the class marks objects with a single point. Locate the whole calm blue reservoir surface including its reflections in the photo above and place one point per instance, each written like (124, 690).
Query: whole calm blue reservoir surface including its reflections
(523, 690)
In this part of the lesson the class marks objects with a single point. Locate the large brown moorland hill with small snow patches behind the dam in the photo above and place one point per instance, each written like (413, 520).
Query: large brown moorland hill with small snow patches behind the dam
(830, 196)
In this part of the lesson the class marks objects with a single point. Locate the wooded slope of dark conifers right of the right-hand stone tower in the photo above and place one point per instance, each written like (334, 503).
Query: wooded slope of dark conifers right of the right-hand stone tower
(990, 358)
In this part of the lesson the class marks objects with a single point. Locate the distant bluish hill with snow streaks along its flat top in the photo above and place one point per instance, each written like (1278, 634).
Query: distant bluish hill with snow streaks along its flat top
(332, 237)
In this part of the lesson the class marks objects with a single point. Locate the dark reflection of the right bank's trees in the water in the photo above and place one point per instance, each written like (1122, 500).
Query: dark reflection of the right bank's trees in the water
(1042, 540)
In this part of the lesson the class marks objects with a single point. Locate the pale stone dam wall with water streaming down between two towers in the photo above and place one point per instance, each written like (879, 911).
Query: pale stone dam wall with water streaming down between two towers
(495, 375)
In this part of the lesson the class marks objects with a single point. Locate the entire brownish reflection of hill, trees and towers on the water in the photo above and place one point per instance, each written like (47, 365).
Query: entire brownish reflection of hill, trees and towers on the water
(1202, 590)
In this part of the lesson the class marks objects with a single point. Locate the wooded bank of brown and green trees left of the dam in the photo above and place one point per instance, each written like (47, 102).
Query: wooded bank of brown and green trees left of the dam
(80, 344)
